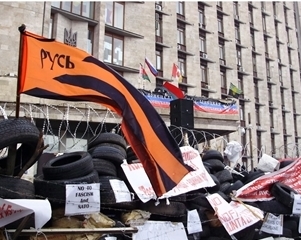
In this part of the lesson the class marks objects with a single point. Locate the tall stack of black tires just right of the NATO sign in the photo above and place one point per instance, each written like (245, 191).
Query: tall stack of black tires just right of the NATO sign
(108, 151)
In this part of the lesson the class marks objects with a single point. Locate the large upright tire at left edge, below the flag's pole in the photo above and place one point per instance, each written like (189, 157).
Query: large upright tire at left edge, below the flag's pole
(19, 130)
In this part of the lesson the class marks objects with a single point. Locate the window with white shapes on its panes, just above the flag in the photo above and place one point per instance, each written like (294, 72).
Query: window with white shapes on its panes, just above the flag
(113, 49)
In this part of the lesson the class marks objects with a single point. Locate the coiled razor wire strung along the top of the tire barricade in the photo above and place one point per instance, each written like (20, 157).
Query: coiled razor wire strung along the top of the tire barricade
(83, 115)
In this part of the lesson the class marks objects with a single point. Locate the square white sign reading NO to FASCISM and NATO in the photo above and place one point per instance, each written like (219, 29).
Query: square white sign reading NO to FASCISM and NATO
(82, 199)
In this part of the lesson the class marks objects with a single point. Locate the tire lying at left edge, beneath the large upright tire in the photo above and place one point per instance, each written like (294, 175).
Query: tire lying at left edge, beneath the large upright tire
(16, 188)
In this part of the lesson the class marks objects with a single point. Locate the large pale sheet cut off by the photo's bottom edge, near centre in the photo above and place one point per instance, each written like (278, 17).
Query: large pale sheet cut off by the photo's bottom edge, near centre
(158, 230)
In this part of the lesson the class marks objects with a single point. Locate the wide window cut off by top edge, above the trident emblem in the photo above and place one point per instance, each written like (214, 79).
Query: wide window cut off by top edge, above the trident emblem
(85, 9)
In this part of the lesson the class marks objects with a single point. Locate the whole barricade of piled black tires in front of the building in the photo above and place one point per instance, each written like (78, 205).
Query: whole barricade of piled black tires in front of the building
(101, 163)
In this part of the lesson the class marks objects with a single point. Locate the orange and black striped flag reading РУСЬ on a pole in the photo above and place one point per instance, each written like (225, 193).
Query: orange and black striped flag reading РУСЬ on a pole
(53, 70)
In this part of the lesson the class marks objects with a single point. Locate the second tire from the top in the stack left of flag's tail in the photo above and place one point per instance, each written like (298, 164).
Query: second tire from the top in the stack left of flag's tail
(108, 153)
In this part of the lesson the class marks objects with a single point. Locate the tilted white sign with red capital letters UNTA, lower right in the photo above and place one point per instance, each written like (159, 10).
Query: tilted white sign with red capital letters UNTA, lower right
(234, 216)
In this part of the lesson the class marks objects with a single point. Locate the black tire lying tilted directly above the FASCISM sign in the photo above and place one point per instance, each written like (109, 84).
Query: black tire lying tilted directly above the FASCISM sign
(68, 166)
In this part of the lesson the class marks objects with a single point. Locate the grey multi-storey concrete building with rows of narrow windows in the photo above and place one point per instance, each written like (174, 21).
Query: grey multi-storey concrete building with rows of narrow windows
(253, 45)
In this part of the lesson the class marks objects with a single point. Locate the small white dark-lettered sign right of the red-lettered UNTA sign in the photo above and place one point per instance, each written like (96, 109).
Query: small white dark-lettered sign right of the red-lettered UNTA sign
(273, 224)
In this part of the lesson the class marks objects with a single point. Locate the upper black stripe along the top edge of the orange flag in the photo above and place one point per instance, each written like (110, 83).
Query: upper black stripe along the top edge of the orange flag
(151, 113)
